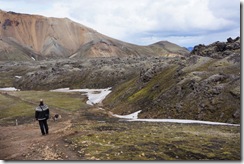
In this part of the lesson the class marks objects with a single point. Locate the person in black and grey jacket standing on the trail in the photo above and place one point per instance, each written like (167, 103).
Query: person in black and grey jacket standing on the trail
(42, 115)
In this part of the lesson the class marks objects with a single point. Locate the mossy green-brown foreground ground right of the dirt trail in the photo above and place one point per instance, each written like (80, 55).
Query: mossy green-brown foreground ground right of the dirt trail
(155, 141)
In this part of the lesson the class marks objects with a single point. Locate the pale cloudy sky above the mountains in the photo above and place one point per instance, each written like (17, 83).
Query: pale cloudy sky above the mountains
(144, 22)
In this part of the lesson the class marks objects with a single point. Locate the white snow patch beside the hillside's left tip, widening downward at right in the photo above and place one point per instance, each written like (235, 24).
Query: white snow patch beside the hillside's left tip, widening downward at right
(94, 96)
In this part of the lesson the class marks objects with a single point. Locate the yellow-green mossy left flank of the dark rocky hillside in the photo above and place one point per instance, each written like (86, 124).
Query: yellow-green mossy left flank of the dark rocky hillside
(134, 95)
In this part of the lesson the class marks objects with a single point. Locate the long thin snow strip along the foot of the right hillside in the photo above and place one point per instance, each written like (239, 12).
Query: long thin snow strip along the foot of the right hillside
(134, 117)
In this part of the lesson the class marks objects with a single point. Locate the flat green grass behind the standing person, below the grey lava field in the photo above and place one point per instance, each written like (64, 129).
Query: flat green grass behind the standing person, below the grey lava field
(21, 104)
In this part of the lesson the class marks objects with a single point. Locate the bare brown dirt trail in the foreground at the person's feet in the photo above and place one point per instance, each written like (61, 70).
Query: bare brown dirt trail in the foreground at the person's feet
(25, 142)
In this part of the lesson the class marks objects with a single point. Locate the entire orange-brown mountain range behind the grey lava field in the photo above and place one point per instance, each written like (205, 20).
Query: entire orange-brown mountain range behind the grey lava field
(37, 37)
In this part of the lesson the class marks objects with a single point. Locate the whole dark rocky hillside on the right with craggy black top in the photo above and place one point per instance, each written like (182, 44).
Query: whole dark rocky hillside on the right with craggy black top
(205, 87)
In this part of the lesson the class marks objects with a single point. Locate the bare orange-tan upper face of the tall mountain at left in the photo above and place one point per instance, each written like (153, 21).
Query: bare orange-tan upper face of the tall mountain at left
(46, 36)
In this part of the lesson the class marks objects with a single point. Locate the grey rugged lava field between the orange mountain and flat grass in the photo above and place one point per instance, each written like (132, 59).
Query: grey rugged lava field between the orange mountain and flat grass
(92, 73)
